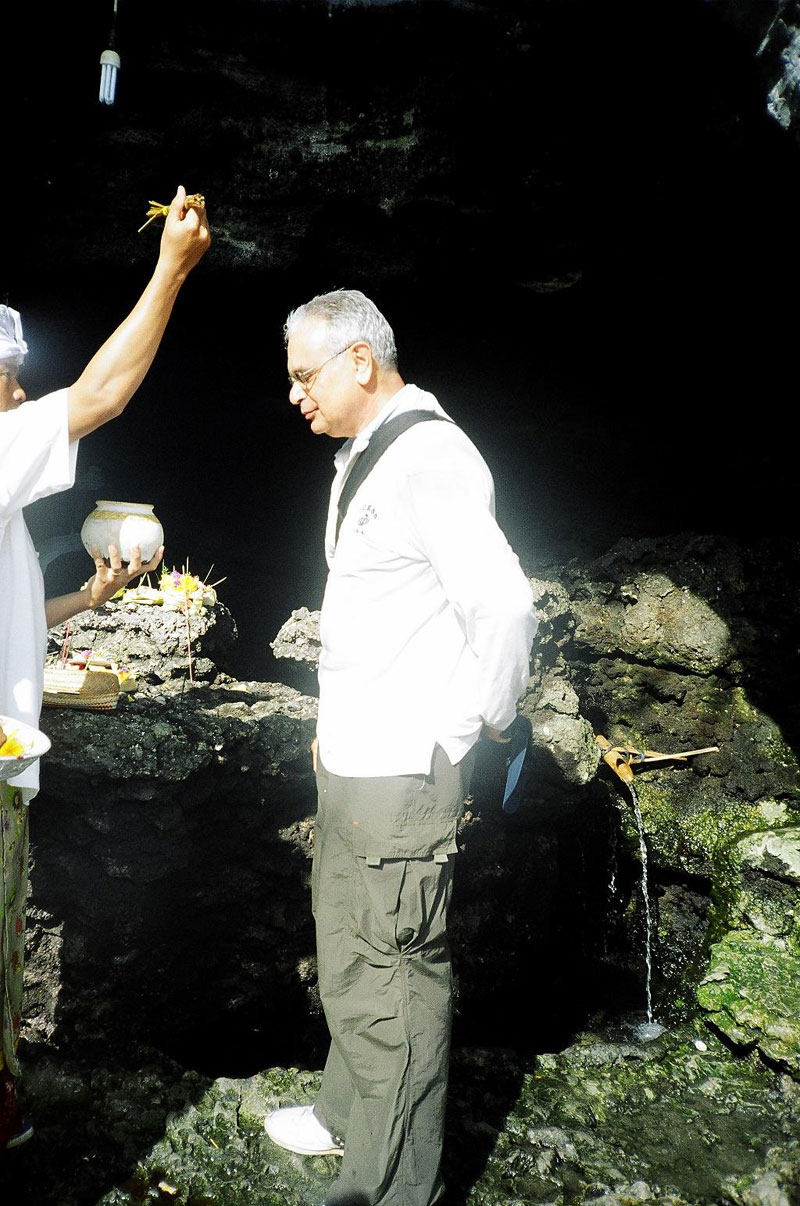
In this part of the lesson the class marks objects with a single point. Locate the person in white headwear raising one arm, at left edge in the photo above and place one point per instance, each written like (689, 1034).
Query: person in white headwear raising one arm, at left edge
(38, 456)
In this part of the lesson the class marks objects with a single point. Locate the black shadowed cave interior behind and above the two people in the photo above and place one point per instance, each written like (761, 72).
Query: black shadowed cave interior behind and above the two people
(587, 250)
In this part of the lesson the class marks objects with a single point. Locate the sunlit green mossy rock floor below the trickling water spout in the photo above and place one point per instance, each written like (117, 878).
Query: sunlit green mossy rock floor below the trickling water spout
(680, 1120)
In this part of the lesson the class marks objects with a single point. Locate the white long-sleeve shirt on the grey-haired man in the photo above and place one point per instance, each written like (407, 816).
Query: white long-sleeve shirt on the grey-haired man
(428, 618)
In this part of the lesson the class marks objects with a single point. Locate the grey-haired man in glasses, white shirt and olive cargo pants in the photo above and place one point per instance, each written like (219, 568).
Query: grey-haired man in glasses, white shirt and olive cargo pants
(427, 631)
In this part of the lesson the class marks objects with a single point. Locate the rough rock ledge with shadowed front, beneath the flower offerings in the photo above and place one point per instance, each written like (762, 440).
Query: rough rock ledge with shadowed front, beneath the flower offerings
(171, 844)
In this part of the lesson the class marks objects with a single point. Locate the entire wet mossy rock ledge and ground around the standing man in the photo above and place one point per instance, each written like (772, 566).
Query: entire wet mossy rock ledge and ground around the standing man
(172, 982)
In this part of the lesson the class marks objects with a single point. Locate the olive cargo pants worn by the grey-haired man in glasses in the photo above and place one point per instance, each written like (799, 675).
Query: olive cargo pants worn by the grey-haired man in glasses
(382, 883)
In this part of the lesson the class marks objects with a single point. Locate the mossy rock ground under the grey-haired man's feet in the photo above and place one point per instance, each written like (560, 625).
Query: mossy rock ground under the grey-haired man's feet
(674, 1122)
